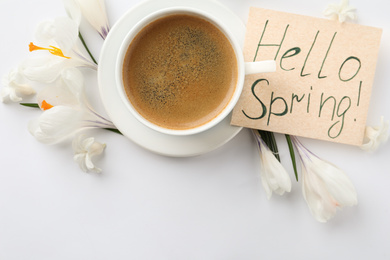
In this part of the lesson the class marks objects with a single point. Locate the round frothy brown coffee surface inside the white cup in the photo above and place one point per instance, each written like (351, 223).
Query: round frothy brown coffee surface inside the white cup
(180, 72)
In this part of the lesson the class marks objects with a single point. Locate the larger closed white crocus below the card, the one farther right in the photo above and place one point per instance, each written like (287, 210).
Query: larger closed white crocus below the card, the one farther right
(325, 187)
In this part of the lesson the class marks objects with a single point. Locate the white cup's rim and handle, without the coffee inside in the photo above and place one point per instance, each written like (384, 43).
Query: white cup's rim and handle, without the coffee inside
(243, 68)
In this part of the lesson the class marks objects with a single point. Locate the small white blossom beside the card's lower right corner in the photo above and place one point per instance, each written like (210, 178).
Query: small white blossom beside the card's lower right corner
(374, 136)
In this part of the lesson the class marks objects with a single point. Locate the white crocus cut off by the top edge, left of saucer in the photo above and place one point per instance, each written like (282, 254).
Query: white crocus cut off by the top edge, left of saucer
(93, 10)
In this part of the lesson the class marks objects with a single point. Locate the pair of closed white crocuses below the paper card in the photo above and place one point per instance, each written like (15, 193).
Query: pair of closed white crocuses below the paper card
(325, 187)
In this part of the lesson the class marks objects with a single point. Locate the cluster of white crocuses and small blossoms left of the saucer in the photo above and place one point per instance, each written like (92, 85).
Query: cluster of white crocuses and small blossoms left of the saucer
(54, 61)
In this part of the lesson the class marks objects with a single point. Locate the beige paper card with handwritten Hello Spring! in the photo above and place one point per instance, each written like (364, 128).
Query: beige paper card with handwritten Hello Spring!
(322, 86)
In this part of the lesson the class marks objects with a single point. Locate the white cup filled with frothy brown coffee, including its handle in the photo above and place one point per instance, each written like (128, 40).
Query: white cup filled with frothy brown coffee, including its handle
(180, 71)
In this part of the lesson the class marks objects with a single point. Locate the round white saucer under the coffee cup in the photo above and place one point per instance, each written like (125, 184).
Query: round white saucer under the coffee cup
(177, 146)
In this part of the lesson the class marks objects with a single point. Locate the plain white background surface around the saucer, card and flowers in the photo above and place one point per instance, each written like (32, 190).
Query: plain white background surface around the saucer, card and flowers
(147, 206)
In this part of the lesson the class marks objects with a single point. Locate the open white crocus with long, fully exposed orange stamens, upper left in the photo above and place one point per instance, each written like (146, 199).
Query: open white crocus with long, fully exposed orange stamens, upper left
(60, 39)
